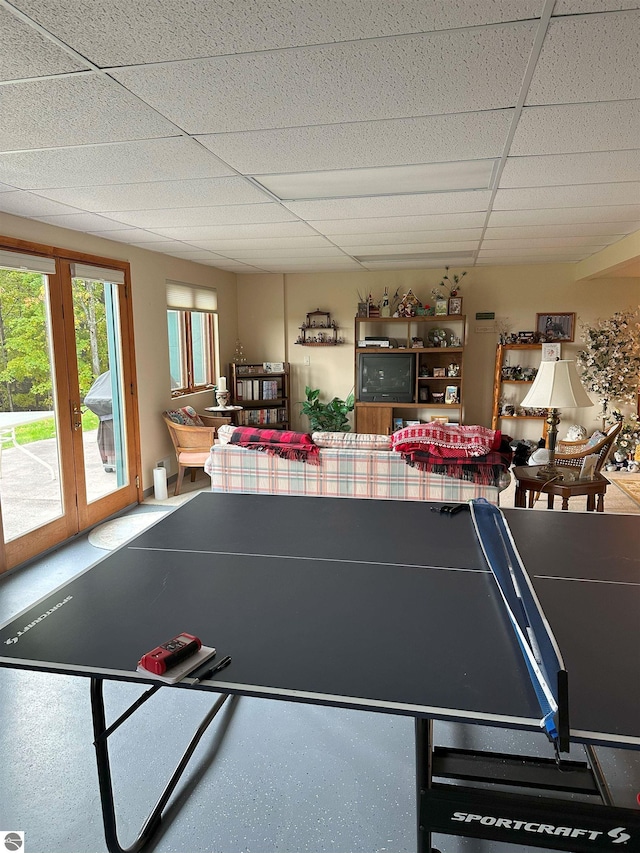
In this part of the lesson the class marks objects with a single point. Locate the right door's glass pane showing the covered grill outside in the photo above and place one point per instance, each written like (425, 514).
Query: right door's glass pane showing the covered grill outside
(99, 355)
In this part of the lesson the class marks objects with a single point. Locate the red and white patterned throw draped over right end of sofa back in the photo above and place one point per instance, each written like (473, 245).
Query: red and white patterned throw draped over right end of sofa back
(446, 440)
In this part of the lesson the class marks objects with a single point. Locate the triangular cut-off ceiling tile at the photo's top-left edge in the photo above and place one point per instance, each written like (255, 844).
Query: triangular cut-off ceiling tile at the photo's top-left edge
(24, 52)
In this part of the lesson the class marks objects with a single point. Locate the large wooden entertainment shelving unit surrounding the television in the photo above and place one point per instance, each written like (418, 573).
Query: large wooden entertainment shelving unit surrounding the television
(422, 336)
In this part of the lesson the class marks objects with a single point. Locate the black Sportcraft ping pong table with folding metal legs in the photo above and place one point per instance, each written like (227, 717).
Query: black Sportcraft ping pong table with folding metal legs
(383, 606)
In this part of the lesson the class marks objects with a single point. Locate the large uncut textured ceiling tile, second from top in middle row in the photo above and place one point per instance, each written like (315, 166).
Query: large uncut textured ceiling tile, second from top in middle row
(320, 85)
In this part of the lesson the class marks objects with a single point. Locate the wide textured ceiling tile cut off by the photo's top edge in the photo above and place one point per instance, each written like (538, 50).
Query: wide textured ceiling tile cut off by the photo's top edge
(122, 32)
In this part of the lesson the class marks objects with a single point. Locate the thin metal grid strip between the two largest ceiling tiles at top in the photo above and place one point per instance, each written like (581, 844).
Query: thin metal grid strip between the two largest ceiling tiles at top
(319, 45)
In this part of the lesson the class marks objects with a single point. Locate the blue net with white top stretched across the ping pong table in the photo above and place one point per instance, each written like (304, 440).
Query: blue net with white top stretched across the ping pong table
(532, 630)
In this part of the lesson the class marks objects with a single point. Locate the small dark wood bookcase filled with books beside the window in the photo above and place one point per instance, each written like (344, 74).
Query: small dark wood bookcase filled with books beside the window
(263, 395)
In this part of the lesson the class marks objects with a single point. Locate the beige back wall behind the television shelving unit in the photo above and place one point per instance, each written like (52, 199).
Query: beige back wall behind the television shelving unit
(514, 292)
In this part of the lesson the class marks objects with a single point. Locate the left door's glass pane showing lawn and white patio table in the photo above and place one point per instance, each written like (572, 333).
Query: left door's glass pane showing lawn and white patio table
(30, 489)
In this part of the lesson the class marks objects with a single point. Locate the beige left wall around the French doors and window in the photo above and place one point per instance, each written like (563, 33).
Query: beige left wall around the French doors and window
(149, 271)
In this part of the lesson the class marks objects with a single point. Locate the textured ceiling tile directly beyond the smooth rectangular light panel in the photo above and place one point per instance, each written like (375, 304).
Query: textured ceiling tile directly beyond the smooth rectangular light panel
(399, 205)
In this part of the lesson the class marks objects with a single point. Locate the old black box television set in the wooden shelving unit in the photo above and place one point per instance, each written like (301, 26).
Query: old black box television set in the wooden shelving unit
(386, 378)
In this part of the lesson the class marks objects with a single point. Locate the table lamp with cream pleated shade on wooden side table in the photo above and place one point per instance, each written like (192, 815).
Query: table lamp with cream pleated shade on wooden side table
(556, 386)
